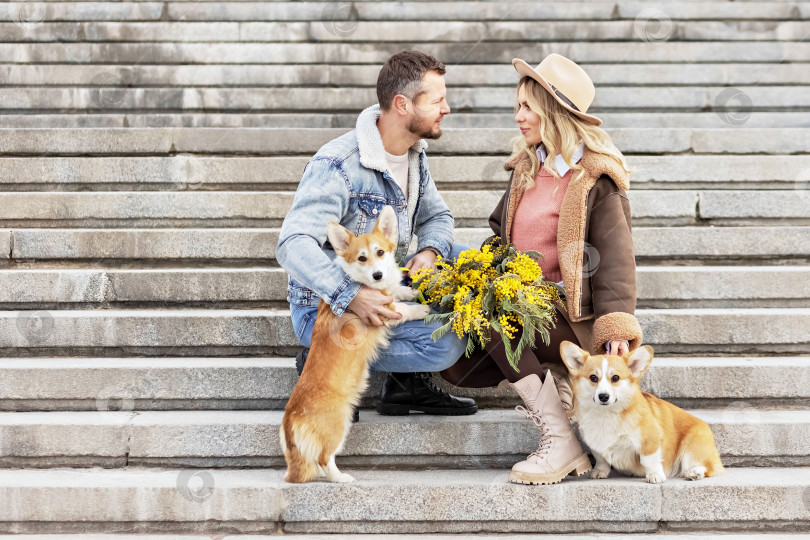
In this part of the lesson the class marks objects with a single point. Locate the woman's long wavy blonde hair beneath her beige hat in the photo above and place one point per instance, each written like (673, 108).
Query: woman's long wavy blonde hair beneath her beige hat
(560, 132)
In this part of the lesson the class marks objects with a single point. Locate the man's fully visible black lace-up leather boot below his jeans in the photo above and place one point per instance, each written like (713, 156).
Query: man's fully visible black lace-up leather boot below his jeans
(405, 392)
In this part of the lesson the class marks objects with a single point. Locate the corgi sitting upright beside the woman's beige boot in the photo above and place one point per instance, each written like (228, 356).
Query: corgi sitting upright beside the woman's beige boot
(634, 431)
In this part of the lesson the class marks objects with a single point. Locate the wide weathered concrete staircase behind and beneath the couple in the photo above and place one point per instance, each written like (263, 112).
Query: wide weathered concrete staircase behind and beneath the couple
(150, 150)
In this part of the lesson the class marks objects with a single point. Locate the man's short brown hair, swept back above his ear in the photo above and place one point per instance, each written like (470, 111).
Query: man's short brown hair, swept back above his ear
(402, 74)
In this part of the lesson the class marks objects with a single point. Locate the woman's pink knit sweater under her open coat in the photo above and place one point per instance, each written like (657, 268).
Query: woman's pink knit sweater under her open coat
(535, 222)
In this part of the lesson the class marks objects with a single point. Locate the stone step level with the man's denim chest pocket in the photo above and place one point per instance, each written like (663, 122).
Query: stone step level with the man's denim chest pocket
(470, 208)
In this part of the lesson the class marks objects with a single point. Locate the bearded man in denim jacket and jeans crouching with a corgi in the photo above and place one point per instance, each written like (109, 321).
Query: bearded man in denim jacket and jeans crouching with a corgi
(350, 179)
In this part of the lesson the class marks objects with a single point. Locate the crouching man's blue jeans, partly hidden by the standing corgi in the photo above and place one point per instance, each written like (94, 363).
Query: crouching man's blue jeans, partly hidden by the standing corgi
(410, 348)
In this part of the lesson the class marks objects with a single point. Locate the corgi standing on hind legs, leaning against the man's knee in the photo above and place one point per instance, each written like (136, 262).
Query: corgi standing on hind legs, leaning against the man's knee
(319, 412)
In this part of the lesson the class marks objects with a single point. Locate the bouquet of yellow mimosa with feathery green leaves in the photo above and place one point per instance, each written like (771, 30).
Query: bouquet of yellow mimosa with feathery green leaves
(495, 288)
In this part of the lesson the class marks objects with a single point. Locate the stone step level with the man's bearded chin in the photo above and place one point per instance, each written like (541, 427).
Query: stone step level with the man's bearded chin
(283, 142)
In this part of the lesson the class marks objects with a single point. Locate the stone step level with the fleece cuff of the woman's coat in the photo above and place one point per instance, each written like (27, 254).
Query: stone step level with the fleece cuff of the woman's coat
(224, 332)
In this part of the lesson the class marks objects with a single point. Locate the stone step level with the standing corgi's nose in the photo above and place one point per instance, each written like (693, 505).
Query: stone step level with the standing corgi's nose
(657, 287)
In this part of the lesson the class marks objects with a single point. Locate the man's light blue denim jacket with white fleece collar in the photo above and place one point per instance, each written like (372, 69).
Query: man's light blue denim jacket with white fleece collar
(348, 182)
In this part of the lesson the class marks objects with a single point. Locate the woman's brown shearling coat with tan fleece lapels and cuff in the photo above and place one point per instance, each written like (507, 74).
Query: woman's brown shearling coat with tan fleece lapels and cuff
(595, 249)
